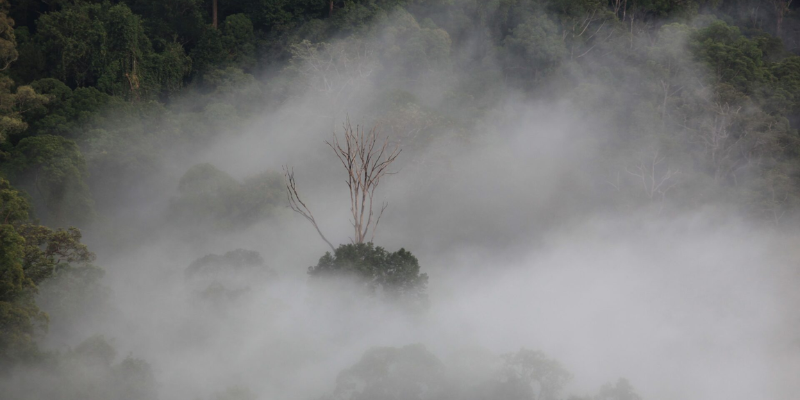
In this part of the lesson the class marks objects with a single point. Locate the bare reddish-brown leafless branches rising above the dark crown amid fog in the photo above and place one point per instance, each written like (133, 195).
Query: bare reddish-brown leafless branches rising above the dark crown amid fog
(366, 160)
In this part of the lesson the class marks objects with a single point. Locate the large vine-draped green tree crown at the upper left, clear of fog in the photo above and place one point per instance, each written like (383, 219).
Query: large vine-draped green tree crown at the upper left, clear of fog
(105, 46)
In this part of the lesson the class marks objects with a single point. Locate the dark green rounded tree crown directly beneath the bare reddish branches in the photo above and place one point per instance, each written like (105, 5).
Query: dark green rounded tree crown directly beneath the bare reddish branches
(396, 274)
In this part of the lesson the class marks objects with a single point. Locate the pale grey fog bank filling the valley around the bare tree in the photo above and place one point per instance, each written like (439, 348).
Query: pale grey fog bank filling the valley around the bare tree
(513, 229)
